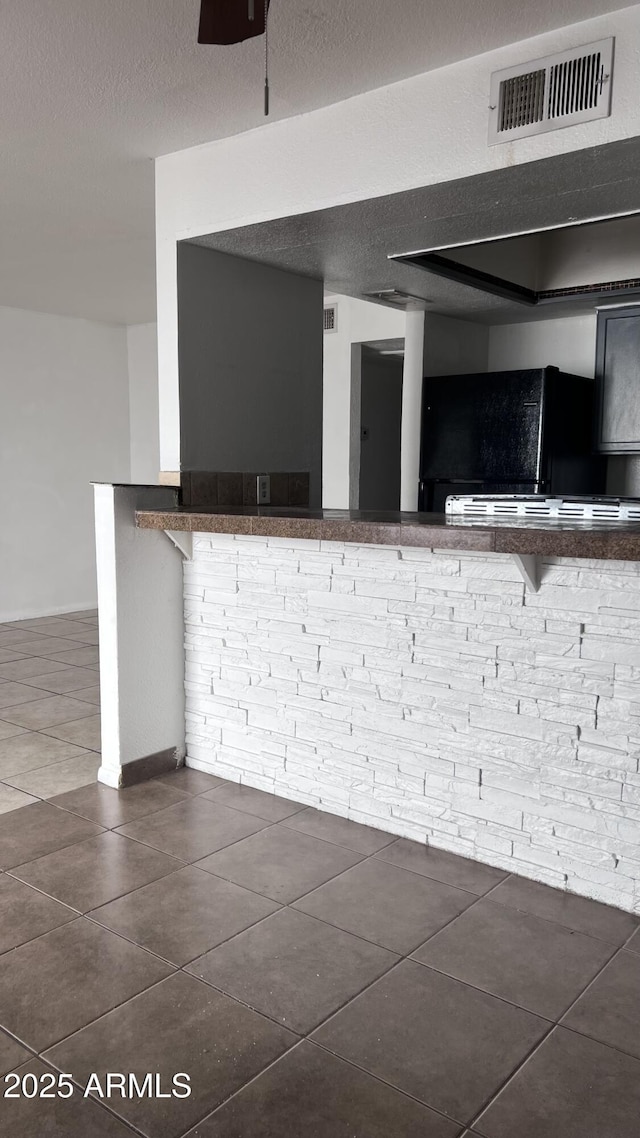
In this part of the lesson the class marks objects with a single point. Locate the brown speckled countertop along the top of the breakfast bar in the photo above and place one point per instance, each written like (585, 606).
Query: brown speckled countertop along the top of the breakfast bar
(608, 541)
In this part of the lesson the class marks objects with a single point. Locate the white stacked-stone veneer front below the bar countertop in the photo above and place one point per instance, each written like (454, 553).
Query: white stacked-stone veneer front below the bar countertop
(429, 695)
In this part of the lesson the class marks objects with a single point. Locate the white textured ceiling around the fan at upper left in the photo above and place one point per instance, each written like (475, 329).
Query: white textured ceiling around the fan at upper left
(92, 90)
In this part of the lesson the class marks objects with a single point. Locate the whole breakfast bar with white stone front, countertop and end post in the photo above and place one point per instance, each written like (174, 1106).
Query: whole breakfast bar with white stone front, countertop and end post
(470, 685)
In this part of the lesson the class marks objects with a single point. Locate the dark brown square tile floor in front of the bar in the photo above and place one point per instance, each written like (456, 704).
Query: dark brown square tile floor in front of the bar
(313, 977)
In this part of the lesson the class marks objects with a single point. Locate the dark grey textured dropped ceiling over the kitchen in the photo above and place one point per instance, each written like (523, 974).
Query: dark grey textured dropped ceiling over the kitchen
(349, 246)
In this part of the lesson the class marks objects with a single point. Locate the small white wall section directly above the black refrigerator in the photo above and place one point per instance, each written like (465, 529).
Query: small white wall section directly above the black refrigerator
(569, 344)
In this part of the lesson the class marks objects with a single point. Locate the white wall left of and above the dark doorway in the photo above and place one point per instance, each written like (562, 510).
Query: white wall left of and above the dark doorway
(359, 323)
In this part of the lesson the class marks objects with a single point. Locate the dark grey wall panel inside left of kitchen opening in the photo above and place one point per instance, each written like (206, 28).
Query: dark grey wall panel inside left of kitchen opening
(251, 367)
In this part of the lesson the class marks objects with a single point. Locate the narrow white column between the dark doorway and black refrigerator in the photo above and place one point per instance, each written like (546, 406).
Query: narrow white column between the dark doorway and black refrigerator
(412, 409)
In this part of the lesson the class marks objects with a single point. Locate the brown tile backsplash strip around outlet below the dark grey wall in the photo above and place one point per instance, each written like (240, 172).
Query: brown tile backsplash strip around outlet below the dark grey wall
(207, 490)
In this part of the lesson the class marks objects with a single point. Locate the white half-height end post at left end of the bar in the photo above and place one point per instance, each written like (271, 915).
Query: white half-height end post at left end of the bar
(142, 626)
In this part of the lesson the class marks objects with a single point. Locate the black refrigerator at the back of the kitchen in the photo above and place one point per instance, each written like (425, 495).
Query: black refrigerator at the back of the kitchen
(508, 433)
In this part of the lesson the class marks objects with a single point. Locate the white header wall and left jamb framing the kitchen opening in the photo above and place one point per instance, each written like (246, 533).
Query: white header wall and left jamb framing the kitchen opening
(425, 130)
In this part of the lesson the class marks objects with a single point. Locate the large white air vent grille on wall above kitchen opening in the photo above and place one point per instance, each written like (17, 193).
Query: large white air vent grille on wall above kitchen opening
(561, 90)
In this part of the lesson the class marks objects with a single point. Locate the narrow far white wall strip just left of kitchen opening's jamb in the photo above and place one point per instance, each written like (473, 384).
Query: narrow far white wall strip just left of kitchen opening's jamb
(143, 354)
